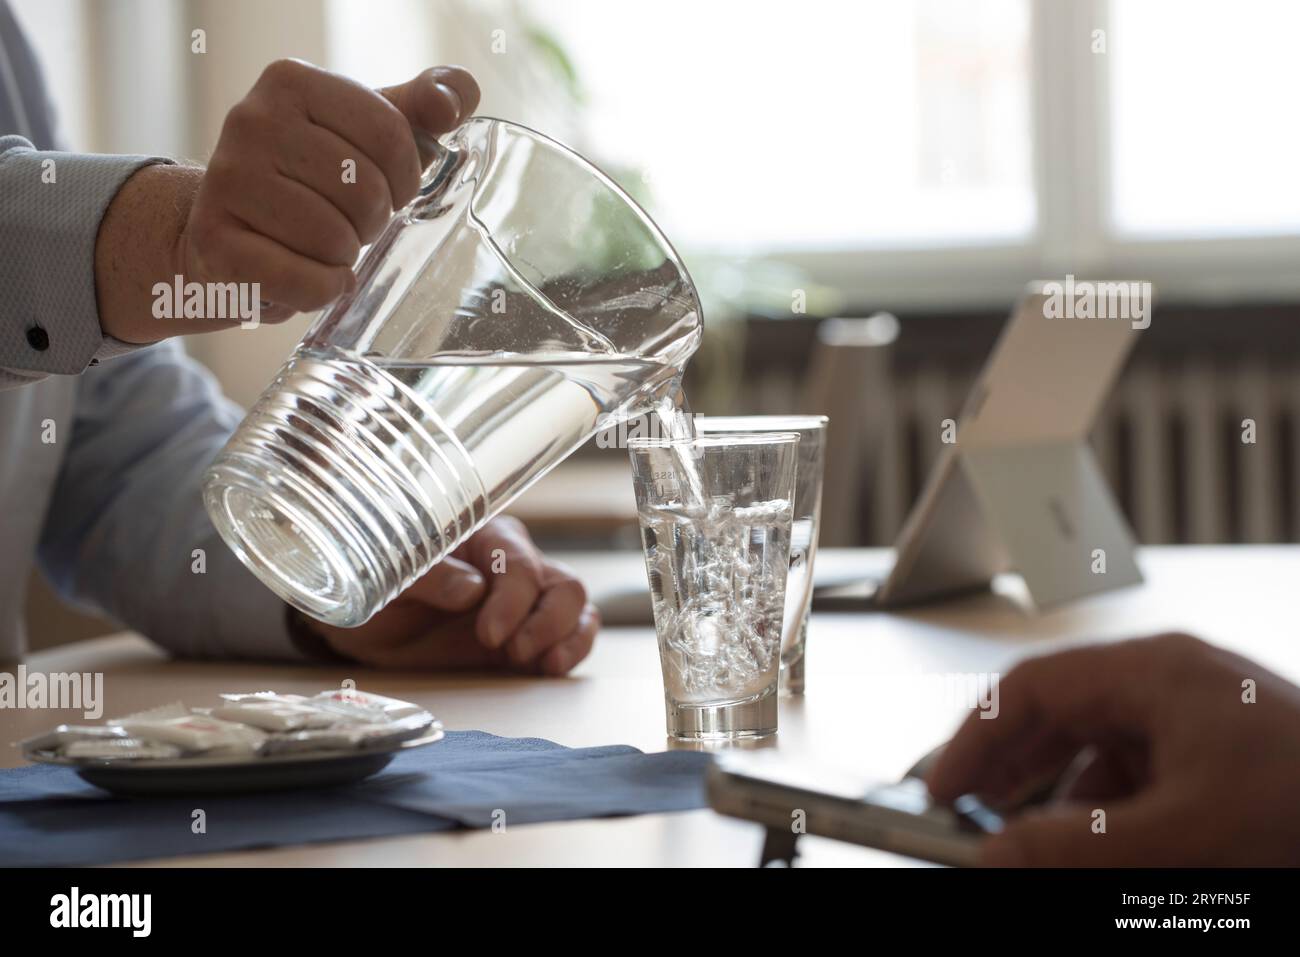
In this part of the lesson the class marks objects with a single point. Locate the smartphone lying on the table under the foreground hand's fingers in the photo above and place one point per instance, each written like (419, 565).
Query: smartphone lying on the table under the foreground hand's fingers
(785, 794)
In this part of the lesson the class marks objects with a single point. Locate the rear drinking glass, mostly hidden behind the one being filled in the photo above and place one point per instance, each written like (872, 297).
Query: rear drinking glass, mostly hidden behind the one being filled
(808, 517)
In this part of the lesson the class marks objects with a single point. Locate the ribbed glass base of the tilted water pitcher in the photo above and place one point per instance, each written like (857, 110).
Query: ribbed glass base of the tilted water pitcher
(341, 490)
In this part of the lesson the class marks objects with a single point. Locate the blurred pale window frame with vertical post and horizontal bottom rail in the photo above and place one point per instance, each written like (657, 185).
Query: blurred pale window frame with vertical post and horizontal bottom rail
(1071, 127)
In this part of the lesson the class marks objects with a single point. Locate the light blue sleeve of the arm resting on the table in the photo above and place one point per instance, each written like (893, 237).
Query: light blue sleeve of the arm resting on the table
(127, 534)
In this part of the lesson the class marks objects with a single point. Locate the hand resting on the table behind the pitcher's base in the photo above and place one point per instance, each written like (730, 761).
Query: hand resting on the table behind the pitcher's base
(497, 603)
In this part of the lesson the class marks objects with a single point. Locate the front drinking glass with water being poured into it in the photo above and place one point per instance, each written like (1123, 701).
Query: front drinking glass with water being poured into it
(716, 518)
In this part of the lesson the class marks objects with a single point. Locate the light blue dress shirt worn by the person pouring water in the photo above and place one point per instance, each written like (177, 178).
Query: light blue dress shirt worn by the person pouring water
(114, 510)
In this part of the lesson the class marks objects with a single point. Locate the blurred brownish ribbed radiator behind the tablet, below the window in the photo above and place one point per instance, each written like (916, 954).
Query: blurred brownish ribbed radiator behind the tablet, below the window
(1171, 443)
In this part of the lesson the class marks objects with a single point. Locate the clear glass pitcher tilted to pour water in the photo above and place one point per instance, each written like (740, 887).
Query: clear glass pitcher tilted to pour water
(521, 301)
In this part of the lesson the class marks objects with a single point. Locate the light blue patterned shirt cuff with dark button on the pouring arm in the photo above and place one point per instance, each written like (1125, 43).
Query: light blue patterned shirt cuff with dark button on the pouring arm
(51, 207)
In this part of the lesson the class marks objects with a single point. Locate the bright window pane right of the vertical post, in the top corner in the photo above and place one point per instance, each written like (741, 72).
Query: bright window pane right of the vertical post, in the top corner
(1206, 140)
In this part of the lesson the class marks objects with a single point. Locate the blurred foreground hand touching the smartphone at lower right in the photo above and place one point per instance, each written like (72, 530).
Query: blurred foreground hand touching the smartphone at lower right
(1156, 734)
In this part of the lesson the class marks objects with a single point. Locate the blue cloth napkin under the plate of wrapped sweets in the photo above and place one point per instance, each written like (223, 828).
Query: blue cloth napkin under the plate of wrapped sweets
(49, 816)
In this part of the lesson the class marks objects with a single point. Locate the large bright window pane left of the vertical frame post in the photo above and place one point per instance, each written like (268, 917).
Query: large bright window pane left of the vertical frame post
(818, 124)
